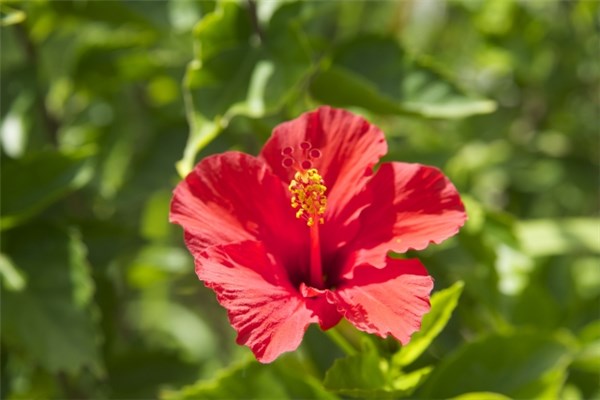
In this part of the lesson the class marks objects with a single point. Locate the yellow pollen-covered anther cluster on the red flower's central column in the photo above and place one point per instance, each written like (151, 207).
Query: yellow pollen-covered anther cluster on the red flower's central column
(308, 196)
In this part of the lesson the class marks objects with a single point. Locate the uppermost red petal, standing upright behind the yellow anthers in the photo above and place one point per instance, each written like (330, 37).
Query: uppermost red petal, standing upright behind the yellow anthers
(349, 148)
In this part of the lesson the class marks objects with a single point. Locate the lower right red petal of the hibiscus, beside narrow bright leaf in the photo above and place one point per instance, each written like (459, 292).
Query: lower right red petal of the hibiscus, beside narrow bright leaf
(391, 300)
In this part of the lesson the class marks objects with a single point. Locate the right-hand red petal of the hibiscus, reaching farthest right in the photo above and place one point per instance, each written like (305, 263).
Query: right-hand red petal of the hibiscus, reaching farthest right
(413, 205)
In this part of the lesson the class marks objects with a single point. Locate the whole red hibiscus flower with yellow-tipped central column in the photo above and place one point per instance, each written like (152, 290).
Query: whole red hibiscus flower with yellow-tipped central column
(301, 233)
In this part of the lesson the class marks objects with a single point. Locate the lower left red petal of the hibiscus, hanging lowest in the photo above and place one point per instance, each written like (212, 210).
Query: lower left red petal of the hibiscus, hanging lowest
(269, 315)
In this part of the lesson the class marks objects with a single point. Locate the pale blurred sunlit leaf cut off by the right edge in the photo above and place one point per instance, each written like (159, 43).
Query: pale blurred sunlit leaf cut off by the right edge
(545, 237)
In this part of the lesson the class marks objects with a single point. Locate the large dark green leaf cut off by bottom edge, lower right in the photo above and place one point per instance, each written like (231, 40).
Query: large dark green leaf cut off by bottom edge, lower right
(519, 365)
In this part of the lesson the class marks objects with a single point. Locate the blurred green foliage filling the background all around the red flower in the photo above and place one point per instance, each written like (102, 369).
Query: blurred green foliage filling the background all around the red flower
(104, 103)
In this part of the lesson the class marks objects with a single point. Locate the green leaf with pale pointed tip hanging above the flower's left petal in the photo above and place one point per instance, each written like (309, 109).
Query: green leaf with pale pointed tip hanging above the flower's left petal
(234, 73)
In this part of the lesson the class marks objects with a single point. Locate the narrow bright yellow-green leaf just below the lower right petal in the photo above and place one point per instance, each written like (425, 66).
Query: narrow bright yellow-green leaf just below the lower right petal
(443, 304)
